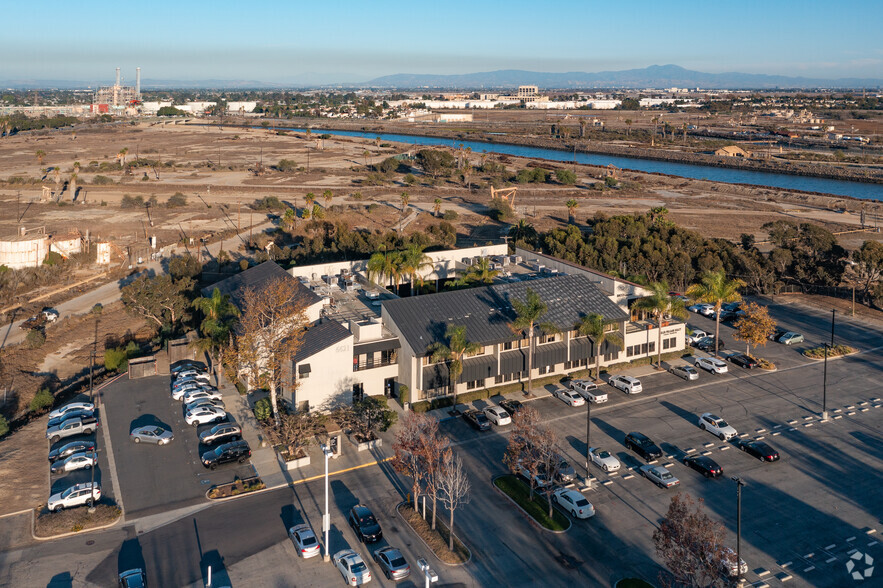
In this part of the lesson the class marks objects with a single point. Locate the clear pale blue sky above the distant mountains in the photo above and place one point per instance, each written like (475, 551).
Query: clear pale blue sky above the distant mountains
(280, 41)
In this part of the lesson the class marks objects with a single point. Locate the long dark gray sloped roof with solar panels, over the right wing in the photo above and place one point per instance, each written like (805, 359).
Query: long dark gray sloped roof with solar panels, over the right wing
(487, 313)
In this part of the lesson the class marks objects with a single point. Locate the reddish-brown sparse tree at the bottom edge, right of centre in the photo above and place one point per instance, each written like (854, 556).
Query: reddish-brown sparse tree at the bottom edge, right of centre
(690, 544)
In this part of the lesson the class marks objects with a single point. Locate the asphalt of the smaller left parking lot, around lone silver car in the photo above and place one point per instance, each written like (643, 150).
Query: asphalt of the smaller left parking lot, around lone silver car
(158, 478)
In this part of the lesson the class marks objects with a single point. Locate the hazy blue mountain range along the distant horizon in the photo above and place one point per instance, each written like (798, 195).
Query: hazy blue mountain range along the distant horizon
(655, 76)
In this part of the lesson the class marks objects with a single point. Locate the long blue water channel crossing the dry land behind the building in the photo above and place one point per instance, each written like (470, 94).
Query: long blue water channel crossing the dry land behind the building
(698, 172)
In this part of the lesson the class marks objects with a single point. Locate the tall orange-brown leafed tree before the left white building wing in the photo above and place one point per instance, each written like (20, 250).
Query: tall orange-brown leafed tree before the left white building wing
(269, 333)
